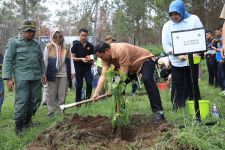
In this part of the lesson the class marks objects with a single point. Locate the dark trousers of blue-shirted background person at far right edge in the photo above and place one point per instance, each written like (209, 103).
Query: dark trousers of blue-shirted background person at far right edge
(221, 75)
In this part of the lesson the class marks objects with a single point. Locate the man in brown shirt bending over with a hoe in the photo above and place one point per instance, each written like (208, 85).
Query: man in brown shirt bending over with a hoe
(131, 60)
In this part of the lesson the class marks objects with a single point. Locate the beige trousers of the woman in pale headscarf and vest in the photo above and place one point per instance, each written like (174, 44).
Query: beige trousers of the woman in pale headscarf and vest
(57, 93)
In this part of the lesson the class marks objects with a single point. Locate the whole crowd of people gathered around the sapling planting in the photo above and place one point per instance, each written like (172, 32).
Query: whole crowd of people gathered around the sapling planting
(29, 67)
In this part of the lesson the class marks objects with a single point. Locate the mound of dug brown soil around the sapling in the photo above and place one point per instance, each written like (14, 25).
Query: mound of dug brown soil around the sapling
(97, 133)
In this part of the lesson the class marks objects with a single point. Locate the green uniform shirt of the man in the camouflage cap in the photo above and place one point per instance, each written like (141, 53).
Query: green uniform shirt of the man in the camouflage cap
(23, 60)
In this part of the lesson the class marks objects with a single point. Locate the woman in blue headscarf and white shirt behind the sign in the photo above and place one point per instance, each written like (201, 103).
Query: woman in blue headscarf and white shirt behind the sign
(180, 19)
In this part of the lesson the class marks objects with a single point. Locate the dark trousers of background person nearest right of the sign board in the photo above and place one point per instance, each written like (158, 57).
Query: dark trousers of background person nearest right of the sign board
(212, 70)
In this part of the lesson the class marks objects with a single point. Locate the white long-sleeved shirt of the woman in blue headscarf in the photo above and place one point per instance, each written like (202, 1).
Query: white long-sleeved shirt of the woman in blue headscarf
(191, 22)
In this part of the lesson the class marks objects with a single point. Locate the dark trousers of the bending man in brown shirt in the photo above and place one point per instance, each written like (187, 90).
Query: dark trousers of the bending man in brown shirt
(147, 71)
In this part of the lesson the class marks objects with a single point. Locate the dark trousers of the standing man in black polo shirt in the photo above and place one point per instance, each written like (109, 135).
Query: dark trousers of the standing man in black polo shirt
(82, 73)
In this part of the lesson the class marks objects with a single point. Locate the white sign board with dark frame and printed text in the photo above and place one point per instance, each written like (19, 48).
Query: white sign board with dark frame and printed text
(188, 41)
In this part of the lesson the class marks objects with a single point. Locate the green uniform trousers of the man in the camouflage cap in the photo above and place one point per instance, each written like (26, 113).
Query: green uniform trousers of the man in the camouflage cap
(28, 98)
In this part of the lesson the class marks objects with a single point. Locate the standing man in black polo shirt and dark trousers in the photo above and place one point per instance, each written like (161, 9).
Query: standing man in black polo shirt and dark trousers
(82, 51)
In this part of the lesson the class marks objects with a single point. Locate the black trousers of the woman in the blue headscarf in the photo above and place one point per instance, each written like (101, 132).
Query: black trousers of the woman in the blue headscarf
(181, 85)
